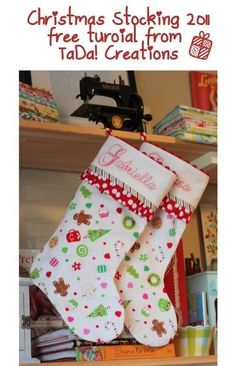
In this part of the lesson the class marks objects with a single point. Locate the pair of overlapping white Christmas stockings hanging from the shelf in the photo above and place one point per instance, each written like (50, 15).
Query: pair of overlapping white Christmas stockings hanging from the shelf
(130, 212)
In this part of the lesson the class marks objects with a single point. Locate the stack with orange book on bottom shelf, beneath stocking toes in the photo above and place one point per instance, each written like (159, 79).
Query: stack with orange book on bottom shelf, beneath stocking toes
(62, 344)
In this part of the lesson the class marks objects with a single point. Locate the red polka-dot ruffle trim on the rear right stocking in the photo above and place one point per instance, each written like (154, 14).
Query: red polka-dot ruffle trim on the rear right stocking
(177, 207)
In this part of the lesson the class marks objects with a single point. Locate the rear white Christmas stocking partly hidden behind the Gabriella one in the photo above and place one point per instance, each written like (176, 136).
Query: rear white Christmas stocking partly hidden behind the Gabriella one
(149, 314)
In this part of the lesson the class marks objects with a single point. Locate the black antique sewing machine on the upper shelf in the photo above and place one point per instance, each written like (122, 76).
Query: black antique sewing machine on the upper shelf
(127, 115)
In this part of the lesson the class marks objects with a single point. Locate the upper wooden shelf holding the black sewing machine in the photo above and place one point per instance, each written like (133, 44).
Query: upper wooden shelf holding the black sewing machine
(71, 148)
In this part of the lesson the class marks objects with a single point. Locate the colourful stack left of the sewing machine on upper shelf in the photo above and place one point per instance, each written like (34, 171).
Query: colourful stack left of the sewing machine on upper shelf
(37, 104)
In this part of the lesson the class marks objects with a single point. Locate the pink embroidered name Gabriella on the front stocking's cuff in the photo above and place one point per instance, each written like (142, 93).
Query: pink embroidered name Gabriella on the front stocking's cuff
(113, 157)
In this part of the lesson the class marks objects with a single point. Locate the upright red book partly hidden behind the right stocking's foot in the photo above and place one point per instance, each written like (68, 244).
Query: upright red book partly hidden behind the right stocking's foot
(175, 284)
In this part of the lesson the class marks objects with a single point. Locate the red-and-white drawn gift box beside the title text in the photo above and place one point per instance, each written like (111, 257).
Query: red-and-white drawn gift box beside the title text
(200, 46)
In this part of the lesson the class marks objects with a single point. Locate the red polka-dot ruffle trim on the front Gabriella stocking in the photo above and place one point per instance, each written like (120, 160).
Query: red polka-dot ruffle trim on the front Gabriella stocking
(120, 192)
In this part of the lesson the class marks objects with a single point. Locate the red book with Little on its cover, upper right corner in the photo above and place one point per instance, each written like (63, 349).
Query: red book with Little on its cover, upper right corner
(204, 90)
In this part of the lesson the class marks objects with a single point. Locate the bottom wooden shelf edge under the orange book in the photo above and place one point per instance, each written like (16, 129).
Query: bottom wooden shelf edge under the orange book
(175, 361)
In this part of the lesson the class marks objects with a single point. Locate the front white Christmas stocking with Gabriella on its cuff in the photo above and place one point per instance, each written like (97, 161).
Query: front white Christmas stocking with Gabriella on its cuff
(75, 269)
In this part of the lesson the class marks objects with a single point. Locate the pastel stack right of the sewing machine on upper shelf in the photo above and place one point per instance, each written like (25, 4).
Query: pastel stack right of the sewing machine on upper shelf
(190, 124)
